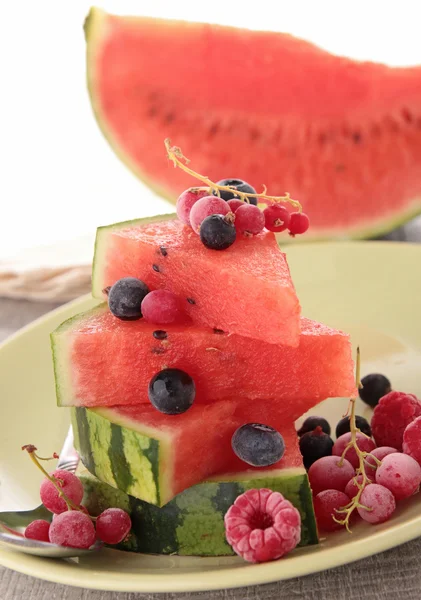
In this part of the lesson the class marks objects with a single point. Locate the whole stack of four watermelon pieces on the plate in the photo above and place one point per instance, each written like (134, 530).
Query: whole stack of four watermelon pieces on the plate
(253, 359)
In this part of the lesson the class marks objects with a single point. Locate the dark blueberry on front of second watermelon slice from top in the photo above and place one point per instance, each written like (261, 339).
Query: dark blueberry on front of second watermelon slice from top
(172, 391)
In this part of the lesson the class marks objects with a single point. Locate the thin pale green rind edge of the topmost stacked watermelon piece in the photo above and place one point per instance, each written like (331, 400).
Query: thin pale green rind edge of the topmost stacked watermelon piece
(101, 247)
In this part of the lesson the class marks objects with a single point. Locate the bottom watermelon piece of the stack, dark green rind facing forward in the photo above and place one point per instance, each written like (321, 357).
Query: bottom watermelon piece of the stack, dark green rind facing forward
(193, 522)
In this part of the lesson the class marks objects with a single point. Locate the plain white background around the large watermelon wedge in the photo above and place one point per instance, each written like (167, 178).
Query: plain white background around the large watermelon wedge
(58, 177)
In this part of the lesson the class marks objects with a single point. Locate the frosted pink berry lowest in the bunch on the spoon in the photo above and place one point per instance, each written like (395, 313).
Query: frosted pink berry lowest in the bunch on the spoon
(72, 528)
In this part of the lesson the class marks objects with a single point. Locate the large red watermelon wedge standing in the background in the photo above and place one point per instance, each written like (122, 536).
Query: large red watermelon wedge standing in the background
(342, 136)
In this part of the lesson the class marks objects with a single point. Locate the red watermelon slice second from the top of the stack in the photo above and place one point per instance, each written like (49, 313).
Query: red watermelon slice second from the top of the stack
(102, 361)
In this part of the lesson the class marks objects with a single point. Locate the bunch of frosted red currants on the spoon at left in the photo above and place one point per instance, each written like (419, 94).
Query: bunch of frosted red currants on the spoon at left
(62, 493)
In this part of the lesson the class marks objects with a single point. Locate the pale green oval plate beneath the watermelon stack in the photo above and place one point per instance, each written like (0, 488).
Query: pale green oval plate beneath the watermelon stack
(372, 290)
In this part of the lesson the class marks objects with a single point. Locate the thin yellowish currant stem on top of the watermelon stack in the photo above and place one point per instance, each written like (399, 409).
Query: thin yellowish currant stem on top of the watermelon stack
(177, 157)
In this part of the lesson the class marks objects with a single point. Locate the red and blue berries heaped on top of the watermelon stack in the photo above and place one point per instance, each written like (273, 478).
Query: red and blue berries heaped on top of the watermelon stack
(219, 219)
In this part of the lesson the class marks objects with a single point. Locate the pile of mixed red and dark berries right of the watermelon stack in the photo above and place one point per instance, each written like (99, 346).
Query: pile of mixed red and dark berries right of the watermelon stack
(342, 486)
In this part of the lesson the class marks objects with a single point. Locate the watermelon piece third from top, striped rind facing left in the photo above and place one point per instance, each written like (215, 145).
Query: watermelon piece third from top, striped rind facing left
(153, 456)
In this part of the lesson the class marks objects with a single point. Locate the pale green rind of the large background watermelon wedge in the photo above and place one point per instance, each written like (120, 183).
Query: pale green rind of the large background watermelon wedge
(95, 33)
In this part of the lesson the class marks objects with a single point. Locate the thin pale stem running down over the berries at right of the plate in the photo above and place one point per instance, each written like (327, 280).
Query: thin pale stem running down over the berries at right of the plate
(355, 502)
